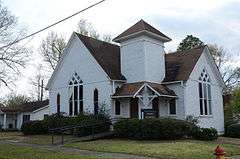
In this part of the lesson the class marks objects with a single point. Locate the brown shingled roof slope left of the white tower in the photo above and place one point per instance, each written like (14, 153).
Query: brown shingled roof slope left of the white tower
(106, 54)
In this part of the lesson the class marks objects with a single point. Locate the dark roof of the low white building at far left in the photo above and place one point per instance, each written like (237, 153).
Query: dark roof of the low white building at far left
(26, 107)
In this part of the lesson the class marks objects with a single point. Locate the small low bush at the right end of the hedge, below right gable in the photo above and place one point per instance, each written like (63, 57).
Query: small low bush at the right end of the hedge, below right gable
(204, 133)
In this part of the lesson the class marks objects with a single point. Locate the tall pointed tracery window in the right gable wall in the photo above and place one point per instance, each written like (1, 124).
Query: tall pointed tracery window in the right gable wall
(205, 97)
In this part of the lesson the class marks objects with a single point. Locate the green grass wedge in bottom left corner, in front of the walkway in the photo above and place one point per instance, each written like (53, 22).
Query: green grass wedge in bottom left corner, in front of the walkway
(16, 152)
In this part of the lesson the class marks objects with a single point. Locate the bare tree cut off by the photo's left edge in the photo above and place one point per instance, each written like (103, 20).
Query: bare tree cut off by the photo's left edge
(14, 56)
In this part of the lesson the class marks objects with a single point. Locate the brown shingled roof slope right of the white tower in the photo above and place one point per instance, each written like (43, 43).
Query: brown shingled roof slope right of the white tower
(180, 64)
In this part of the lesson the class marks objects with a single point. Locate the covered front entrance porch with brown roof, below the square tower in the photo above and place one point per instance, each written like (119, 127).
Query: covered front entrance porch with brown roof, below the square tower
(144, 100)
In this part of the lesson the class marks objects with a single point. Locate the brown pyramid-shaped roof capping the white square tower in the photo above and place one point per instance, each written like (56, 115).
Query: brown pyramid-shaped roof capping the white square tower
(139, 27)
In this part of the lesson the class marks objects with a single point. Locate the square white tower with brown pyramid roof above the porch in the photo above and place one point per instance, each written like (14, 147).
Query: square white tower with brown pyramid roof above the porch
(142, 53)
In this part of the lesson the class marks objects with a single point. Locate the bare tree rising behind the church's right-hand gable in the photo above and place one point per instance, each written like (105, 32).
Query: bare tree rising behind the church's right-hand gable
(230, 75)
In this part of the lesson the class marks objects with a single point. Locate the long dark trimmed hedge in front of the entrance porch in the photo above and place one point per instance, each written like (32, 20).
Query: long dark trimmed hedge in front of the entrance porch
(165, 128)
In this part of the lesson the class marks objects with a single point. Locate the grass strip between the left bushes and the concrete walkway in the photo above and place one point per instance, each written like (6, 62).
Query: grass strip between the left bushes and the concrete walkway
(32, 139)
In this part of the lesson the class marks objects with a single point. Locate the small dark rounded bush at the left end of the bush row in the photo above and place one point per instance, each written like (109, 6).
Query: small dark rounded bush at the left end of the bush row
(34, 128)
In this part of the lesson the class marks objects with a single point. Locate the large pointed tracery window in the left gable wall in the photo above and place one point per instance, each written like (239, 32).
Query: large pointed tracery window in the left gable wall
(75, 95)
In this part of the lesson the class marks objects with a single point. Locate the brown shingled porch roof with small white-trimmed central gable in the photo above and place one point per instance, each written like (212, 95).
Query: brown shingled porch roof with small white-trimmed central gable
(131, 89)
